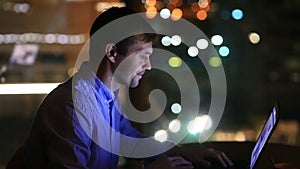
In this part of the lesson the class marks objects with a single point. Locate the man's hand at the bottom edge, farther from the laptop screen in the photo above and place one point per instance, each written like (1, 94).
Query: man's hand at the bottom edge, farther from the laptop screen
(170, 162)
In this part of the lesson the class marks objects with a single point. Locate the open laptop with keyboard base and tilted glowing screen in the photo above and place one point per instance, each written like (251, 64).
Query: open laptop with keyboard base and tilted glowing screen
(260, 144)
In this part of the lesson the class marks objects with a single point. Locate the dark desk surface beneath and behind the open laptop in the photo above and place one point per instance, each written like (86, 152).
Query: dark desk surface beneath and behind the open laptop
(242, 150)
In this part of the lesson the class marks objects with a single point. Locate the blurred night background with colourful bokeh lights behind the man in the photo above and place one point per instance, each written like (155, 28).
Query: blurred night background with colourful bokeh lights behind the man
(257, 42)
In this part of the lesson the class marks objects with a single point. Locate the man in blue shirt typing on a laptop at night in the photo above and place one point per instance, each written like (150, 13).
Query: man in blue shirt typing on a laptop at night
(79, 123)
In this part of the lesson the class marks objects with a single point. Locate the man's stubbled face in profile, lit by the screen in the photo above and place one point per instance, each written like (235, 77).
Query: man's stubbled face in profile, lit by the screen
(131, 67)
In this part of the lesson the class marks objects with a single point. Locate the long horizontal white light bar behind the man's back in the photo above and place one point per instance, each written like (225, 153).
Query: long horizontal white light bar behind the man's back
(27, 88)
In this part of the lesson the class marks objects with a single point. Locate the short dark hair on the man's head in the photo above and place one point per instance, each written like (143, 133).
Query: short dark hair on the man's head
(112, 14)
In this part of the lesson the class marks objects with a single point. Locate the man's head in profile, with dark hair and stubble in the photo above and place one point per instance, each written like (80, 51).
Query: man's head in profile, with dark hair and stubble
(128, 57)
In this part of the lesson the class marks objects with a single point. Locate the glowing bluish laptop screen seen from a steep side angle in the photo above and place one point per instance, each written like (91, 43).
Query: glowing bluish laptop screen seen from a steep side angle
(264, 136)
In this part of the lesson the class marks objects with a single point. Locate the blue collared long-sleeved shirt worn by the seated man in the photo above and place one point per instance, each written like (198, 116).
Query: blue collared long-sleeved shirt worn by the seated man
(74, 126)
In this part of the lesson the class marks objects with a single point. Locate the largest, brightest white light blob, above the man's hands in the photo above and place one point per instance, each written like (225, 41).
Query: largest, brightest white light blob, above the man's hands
(199, 124)
